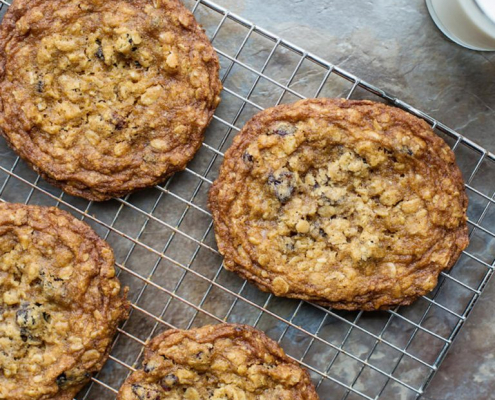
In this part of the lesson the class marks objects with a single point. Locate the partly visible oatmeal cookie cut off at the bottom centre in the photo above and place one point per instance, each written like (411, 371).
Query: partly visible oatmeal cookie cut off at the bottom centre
(218, 362)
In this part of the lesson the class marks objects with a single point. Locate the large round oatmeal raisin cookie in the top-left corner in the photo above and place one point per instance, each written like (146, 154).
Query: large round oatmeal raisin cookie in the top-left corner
(104, 97)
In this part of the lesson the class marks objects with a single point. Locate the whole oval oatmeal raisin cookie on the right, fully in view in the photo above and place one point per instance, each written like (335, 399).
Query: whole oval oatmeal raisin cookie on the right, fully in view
(350, 204)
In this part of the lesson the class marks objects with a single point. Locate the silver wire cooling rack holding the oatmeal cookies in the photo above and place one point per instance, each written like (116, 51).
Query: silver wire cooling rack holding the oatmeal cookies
(165, 249)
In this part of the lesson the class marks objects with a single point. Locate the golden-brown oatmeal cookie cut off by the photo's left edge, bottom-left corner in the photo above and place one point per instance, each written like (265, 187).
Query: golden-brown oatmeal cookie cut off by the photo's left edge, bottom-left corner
(60, 303)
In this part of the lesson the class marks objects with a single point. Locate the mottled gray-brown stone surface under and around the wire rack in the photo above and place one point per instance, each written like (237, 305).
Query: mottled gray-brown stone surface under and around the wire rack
(389, 43)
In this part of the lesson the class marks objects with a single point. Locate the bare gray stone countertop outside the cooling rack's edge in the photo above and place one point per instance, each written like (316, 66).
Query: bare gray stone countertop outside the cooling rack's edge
(394, 45)
